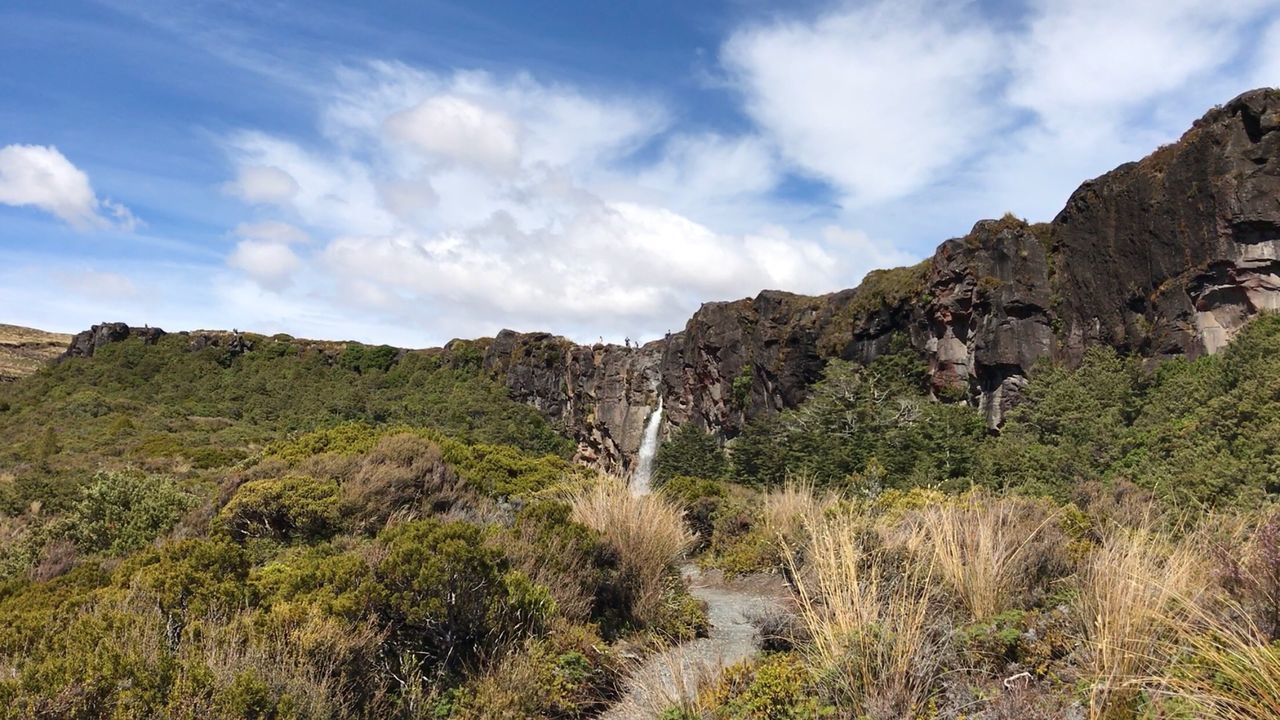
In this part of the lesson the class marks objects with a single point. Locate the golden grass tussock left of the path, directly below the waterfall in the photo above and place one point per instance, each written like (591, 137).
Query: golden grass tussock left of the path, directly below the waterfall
(648, 532)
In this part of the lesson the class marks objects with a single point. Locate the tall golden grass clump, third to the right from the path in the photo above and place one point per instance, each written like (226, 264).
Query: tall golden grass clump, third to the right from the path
(1135, 590)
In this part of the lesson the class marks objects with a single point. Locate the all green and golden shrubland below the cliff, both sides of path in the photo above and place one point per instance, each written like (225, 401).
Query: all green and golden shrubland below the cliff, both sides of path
(354, 532)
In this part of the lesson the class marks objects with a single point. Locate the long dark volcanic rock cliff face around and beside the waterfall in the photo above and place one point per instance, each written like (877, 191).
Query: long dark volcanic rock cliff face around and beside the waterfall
(1167, 257)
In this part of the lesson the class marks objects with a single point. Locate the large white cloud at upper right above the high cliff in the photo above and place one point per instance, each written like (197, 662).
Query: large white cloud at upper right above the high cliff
(903, 104)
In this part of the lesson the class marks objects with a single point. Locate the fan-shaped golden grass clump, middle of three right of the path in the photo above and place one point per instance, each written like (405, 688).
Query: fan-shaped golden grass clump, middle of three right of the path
(981, 548)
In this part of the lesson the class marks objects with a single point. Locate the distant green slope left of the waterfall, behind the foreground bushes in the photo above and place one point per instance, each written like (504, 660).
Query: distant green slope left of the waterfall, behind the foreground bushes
(207, 405)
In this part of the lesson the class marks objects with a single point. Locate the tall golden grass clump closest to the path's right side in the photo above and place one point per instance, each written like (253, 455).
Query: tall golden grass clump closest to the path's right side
(870, 616)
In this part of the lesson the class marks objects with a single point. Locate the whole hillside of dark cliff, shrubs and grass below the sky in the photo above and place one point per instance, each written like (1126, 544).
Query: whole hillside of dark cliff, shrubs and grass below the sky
(1032, 477)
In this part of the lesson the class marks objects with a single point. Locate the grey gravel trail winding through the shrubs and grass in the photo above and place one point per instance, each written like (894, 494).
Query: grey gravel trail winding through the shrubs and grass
(732, 605)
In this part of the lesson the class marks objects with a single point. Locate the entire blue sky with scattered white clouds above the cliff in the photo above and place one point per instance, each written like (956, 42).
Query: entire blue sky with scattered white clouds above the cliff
(415, 171)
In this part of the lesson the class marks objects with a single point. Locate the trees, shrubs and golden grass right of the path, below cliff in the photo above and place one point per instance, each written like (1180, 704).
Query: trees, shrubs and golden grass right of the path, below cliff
(1113, 553)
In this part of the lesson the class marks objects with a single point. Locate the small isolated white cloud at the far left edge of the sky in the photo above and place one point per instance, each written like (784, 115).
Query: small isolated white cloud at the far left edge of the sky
(42, 177)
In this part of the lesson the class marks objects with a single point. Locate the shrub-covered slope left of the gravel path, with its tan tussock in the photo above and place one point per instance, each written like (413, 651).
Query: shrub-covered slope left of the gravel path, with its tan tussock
(308, 531)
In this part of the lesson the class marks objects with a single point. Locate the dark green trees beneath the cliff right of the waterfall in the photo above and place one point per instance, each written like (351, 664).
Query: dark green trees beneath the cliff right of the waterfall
(1194, 432)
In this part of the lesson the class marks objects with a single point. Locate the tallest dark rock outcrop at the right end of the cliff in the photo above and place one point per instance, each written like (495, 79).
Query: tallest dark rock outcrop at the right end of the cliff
(1171, 256)
